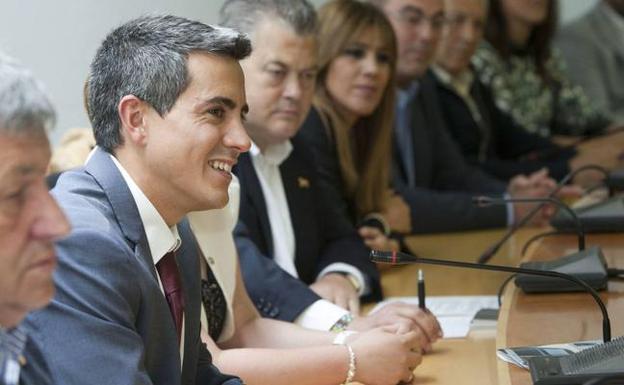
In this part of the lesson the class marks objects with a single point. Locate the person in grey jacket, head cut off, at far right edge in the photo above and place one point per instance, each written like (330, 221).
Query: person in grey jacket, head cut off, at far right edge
(594, 53)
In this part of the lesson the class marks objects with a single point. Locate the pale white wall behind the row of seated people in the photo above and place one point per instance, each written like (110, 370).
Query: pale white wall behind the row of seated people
(58, 38)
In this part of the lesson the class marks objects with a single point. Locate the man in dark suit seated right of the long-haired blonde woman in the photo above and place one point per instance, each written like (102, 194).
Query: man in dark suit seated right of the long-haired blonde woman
(430, 171)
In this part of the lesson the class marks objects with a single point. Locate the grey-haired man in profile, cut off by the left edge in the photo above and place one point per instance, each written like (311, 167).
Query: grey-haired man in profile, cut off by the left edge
(30, 221)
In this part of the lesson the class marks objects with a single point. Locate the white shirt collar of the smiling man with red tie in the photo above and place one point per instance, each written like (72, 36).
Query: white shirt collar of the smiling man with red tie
(160, 237)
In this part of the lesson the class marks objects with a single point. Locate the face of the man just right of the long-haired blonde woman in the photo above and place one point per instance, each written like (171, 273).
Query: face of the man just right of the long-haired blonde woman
(418, 25)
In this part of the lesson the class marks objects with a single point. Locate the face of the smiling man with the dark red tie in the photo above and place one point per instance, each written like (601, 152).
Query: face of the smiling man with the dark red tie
(191, 150)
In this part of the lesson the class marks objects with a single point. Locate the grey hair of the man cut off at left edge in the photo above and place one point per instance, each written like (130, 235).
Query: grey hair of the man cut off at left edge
(24, 105)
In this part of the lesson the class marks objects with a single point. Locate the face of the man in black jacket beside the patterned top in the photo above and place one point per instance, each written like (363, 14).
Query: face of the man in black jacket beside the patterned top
(462, 34)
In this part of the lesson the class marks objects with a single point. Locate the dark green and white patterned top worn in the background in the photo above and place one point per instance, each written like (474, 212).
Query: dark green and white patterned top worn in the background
(547, 109)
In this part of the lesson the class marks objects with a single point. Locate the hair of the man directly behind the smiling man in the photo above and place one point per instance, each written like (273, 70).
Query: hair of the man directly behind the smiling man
(242, 15)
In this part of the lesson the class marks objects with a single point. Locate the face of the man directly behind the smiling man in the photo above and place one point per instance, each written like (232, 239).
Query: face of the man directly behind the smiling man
(280, 77)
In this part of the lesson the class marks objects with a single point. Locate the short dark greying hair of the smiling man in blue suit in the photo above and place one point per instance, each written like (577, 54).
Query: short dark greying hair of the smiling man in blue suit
(147, 57)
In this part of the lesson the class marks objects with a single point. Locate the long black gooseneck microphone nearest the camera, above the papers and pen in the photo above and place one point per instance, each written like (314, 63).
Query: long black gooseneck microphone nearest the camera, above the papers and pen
(399, 258)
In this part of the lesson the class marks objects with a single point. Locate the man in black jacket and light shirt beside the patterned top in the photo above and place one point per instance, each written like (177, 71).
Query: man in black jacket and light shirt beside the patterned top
(487, 136)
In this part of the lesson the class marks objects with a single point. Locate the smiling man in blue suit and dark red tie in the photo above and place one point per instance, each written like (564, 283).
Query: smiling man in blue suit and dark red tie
(166, 100)
